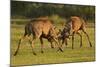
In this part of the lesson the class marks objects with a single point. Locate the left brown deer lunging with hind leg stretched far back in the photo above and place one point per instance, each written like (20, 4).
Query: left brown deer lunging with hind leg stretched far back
(39, 28)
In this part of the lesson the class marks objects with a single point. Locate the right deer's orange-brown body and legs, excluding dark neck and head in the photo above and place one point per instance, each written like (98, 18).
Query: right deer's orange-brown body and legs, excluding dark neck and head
(78, 24)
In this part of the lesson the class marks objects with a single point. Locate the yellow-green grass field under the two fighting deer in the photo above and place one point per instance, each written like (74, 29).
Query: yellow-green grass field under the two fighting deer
(25, 56)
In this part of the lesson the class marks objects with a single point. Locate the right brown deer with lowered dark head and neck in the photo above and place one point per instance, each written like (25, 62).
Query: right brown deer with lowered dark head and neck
(73, 25)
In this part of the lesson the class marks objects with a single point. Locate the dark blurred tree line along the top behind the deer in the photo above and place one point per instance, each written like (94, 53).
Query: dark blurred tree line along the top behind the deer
(20, 9)
